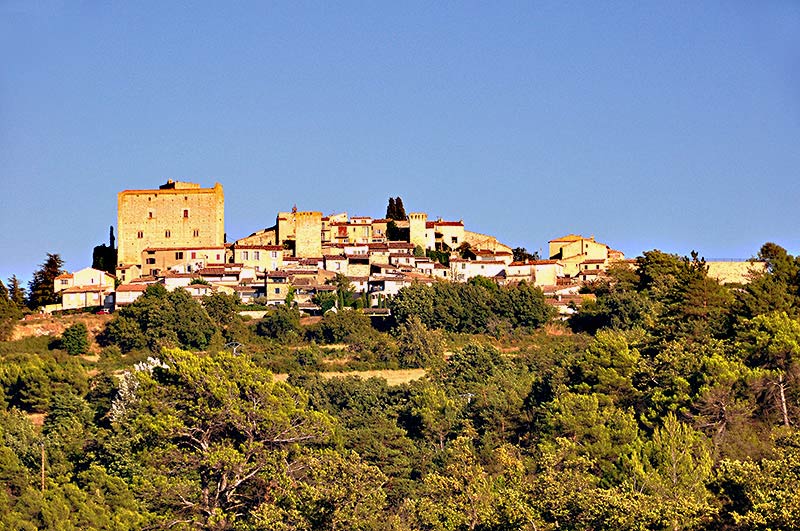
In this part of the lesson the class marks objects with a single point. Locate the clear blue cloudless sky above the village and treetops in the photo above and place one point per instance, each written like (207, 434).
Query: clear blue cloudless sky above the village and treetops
(670, 125)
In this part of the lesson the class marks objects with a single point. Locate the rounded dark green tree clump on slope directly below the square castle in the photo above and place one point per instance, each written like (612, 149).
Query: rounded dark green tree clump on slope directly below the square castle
(161, 318)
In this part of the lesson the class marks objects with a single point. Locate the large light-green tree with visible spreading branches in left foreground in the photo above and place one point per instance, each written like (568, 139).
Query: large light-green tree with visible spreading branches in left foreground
(209, 434)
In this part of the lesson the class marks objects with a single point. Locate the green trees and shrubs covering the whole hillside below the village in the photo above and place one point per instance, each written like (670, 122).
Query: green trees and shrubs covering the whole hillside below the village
(668, 402)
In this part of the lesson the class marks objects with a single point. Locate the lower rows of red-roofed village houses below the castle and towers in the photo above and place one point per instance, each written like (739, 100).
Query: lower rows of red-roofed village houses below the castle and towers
(270, 275)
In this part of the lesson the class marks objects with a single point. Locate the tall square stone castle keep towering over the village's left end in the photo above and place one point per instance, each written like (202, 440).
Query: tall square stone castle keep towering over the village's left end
(178, 214)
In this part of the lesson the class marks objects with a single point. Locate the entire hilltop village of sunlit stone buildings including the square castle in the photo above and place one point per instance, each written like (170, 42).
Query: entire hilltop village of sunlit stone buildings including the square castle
(175, 235)
